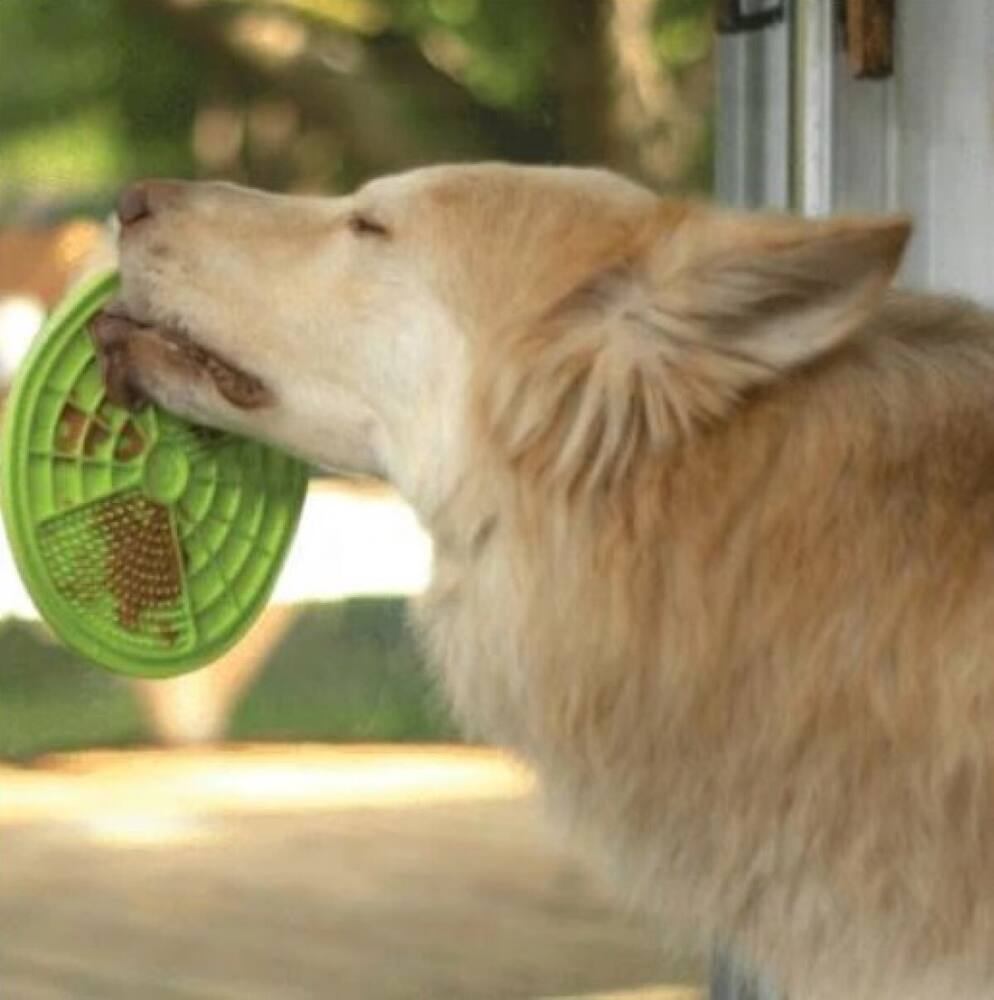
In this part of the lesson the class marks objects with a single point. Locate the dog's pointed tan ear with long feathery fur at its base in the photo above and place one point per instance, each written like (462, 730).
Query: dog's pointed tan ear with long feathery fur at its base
(671, 333)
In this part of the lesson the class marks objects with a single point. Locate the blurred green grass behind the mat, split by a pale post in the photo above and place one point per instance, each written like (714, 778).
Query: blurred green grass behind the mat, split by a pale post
(345, 672)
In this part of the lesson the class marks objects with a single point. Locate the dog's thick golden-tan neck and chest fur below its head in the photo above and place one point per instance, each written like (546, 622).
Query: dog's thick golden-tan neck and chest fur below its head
(759, 685)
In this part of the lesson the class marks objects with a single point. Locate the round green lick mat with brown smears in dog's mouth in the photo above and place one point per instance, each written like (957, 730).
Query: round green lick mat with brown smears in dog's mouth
(148, 544)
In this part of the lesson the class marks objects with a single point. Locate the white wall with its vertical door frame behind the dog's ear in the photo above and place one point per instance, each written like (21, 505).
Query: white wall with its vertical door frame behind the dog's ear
(921, 142)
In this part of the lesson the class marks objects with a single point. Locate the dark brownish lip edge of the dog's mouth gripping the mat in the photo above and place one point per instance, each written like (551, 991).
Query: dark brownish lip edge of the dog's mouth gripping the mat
(114, 336)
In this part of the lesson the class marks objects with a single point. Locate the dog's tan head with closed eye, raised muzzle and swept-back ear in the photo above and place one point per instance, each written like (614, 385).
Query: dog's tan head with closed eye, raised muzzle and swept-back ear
(570, 313)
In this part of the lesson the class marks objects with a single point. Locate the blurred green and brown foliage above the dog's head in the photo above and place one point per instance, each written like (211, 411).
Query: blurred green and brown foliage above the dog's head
(320, 94)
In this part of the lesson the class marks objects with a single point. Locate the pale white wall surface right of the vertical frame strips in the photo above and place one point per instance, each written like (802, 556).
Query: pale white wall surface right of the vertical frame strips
(923, 142)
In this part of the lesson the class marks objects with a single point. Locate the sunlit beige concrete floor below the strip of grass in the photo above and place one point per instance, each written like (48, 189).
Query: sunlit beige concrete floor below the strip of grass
(376, 873)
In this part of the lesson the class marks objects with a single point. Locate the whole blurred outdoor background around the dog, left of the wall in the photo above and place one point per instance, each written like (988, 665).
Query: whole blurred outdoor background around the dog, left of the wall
(300, 820)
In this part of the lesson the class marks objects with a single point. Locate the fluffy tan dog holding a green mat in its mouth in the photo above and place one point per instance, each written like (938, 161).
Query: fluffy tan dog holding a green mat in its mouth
(713, 509)
